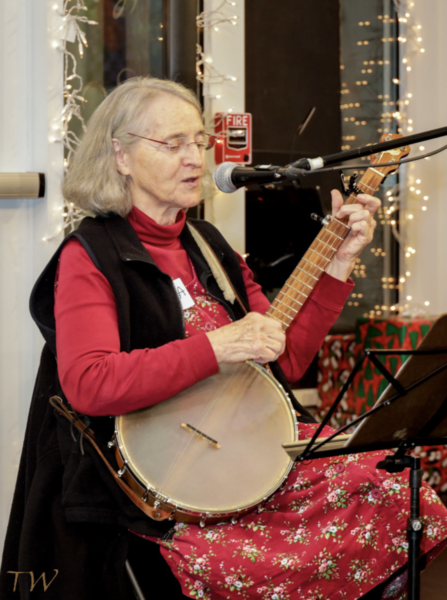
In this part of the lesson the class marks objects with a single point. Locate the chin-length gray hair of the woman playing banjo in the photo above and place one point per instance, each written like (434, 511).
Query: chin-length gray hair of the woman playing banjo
(93, 182)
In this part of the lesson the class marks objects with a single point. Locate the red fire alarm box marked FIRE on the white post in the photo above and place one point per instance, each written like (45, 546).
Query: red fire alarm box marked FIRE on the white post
(234, 138)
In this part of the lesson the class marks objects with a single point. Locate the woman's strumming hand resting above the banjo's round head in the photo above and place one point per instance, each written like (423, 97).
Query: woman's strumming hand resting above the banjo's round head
(255, 337)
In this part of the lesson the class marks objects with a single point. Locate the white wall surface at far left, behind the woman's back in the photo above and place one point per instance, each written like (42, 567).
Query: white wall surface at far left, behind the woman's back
(30, 98)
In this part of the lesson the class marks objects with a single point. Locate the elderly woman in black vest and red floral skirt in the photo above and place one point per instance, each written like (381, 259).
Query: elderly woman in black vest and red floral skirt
(123, 343)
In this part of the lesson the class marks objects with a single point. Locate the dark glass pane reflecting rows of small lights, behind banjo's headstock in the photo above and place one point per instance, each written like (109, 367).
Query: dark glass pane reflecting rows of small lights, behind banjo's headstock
(369, 98)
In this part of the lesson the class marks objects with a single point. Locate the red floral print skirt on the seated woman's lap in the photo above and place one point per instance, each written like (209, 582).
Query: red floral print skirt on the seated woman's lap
(335, 531)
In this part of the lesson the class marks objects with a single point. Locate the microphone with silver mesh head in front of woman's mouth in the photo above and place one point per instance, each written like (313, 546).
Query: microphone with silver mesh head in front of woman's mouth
(229, 176)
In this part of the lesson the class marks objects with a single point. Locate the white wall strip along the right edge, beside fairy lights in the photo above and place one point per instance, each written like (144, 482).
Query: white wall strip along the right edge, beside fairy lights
(426, 232)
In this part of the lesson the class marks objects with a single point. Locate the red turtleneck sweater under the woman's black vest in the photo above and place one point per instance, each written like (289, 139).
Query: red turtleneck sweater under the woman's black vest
(98, 379)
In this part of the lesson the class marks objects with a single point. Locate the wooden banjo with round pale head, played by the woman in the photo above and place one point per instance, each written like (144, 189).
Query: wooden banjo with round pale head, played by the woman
(214, 451)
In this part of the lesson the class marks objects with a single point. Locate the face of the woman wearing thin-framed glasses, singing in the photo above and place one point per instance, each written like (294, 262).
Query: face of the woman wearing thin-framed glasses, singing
(162, 183)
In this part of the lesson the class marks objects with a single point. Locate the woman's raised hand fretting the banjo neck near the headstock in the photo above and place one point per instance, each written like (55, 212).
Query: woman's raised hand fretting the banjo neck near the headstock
(362, 224)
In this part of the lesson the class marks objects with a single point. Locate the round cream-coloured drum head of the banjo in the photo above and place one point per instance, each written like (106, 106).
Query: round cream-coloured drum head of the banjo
(215, 447)
